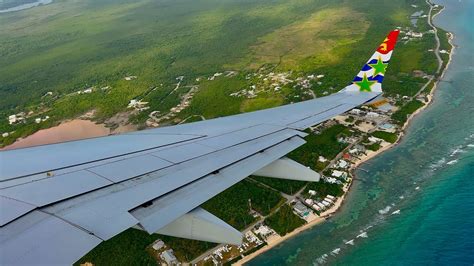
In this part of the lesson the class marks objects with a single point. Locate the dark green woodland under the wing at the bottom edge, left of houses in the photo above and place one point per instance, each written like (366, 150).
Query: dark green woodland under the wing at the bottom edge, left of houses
(127, 248)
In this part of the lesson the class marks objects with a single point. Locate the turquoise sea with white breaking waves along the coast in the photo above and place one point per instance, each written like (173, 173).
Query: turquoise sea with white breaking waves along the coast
(414, 204)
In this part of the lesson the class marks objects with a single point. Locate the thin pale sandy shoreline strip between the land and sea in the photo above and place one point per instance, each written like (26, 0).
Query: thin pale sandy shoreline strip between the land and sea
(370, 155)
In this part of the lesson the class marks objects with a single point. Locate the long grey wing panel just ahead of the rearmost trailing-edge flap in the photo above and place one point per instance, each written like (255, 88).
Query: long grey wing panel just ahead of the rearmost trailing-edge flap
(95, 209)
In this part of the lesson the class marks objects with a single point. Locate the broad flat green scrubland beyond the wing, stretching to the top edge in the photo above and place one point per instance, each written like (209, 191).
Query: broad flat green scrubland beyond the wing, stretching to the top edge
(71, 45)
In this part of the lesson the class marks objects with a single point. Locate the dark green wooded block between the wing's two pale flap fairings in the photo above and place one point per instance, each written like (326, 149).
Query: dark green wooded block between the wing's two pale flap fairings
(232, 205)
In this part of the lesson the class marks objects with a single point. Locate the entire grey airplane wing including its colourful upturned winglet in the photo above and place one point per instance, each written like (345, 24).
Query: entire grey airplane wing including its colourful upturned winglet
(59, 201)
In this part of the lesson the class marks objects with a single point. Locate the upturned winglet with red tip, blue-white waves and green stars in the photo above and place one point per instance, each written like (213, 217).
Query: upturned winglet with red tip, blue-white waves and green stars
(372, 73)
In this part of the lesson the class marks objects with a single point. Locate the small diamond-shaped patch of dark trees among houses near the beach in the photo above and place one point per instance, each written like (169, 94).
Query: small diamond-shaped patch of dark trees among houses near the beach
(284, 220)
